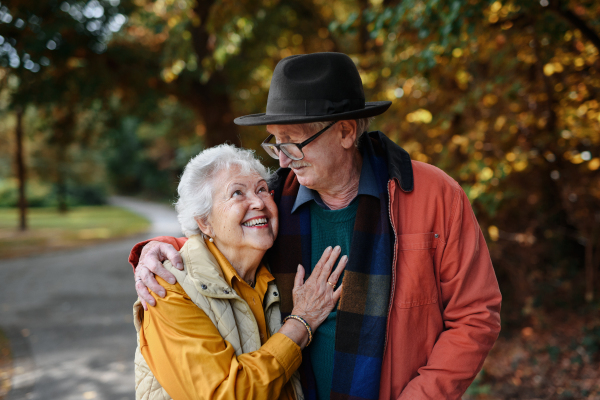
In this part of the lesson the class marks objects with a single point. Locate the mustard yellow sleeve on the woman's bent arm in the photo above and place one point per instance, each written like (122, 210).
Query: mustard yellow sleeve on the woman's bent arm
(191, 360)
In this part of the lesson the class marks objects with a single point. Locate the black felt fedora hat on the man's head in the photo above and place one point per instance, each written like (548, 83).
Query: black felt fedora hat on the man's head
(315, 87)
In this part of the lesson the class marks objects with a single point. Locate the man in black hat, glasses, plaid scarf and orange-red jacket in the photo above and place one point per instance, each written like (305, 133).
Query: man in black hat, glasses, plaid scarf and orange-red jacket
(420, 306)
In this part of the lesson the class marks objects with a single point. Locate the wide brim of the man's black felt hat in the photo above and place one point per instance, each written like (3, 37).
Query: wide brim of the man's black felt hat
(371, 109)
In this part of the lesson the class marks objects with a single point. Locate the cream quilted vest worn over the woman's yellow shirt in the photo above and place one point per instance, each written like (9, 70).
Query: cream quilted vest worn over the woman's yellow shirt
(203, 281)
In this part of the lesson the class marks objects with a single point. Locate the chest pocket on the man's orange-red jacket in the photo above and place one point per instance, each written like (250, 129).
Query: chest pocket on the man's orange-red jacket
(415, 275)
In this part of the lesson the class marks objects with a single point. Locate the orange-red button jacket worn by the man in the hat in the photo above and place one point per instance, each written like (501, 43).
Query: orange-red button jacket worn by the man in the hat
(444, 313)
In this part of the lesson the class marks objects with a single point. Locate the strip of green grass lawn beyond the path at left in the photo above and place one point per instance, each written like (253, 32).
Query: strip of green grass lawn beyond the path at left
(50, 230)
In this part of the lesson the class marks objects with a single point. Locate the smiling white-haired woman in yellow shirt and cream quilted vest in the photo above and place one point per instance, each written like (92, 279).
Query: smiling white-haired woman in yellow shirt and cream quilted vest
(218, 333)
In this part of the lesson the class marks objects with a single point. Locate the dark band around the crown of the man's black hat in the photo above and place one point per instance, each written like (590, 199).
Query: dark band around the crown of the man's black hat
(313, 107)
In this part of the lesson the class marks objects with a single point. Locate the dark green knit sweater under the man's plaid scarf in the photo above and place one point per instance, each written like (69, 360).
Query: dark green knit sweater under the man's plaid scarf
(328, 228)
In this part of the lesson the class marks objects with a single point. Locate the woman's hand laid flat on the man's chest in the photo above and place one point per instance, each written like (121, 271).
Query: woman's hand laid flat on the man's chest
(316, 298)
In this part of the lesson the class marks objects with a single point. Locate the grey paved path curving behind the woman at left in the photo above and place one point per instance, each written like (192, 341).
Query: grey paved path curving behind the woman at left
(68, 316)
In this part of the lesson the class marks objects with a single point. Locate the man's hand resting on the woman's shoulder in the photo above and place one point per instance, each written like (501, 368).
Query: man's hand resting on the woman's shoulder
(151, 259)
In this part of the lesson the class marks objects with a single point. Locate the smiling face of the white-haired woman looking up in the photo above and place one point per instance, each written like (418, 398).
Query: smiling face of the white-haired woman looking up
(244, 215)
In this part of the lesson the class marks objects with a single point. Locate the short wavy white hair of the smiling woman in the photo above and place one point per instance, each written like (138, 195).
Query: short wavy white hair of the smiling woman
(197, 184)
